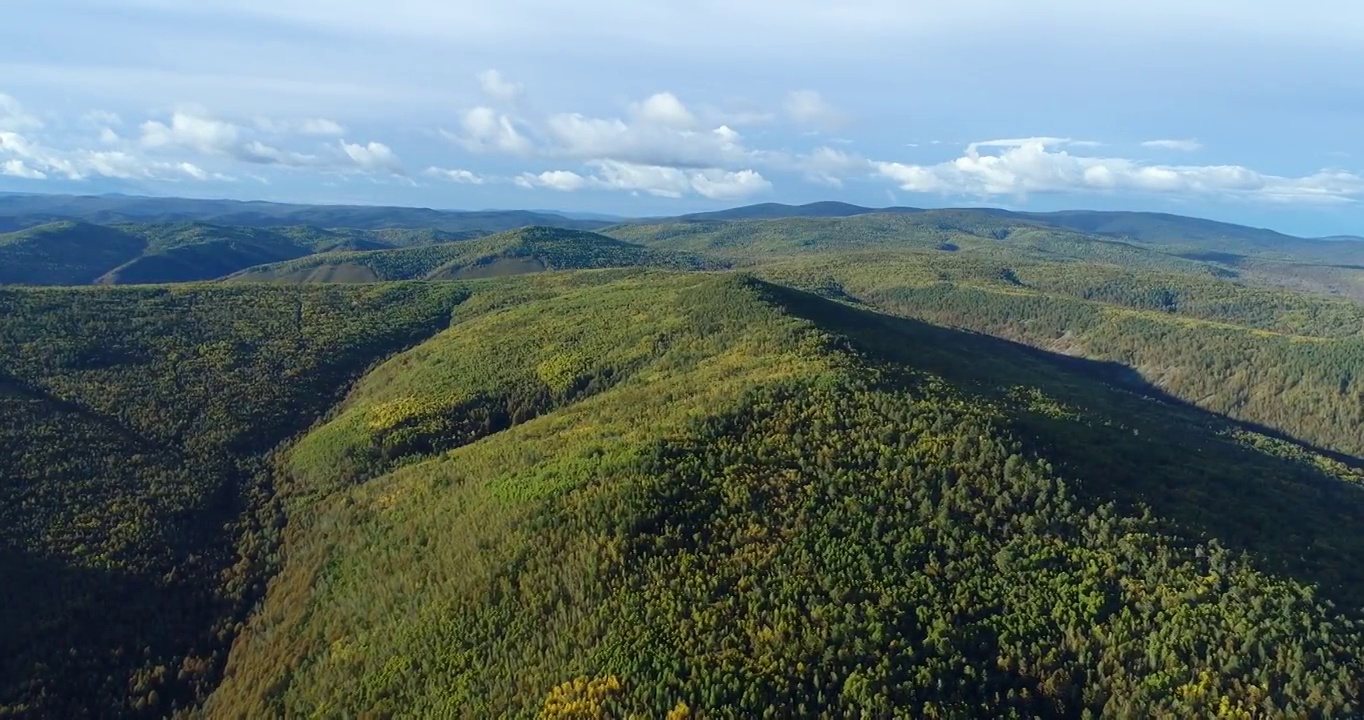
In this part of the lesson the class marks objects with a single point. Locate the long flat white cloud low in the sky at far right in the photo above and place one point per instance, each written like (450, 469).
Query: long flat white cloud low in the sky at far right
(1041, 166)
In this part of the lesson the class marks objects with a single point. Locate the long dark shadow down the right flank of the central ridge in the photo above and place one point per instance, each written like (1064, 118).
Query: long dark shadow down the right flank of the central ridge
(1130, 442)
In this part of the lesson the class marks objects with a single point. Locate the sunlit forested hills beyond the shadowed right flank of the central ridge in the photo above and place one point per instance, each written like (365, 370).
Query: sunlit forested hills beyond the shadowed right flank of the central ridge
(1198, 331)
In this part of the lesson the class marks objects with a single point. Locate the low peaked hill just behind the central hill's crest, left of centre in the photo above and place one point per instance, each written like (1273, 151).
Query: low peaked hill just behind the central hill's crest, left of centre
(529, 250)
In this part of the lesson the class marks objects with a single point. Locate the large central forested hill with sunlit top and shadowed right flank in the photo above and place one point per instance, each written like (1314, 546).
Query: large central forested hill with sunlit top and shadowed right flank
(752, 501)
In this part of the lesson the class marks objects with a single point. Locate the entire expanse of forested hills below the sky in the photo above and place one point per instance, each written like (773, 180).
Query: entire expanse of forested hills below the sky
(931, 464)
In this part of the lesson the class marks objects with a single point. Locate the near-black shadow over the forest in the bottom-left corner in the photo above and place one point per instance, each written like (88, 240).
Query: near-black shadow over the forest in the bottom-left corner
(114, 635)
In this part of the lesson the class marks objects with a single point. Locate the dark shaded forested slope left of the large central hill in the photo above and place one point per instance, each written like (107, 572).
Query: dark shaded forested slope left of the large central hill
(136, 490)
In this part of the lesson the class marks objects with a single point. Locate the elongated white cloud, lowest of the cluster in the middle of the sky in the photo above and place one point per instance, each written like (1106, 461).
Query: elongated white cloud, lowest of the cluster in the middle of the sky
(664, 182)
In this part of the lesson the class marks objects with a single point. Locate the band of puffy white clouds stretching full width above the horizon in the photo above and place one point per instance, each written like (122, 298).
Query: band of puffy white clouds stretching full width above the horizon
(658, 145)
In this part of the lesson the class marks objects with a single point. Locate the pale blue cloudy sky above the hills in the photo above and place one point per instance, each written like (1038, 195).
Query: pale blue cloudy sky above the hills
(1247, 111)
